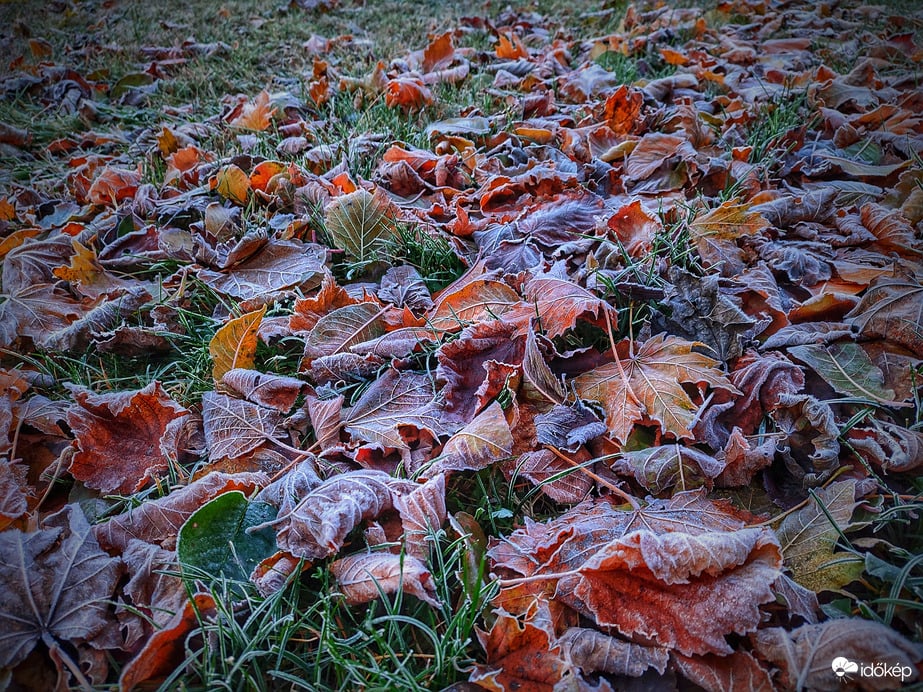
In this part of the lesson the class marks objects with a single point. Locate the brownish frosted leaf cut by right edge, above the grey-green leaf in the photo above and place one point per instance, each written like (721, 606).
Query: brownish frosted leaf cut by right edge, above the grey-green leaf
(892, 309)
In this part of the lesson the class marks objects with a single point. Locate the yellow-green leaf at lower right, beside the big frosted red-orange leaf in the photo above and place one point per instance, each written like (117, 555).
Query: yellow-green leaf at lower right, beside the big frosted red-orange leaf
(809, 539)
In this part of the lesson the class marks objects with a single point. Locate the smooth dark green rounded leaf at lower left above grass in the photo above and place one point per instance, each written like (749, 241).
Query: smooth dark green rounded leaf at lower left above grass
(215, 539)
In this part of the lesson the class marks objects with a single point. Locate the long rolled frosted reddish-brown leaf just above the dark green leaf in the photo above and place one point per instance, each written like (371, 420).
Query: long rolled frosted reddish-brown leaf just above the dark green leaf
(159, 521)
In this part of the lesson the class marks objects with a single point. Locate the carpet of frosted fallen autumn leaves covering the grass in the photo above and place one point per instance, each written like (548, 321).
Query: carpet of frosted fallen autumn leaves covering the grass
(625, 369)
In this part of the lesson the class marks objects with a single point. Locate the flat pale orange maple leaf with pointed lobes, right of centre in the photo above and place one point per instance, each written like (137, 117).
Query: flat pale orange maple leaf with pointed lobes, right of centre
(649, 383)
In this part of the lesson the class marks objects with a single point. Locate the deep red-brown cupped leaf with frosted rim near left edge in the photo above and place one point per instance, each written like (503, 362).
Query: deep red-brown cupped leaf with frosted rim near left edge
(119, 437)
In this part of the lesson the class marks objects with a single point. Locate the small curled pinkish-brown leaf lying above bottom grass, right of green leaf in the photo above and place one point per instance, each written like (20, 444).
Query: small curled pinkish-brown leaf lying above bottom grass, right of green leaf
(368, 576)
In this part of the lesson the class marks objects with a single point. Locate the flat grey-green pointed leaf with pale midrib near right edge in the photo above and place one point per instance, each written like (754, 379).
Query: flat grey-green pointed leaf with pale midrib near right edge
(846, 367)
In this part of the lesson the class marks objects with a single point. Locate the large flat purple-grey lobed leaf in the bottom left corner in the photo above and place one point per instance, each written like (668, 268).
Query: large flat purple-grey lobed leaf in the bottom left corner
(56, 584)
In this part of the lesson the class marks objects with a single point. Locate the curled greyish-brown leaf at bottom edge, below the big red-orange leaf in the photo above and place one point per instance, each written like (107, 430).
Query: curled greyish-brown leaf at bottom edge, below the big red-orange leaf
(593, 651)
